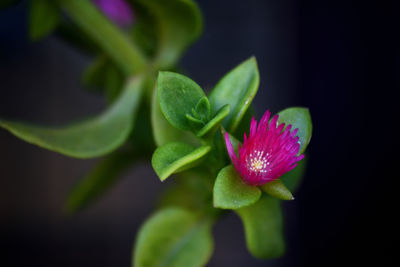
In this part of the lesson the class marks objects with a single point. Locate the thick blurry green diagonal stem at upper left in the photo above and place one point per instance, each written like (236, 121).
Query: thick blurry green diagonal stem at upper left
(106, 34)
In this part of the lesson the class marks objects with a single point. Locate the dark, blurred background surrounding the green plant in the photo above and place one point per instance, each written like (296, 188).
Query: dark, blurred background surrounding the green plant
(339, 58)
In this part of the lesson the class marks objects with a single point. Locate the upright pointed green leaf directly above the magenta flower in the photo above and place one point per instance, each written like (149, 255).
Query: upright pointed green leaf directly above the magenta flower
(237, 88)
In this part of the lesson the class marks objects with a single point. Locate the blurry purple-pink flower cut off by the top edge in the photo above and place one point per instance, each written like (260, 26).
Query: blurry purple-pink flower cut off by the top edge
(118, 11)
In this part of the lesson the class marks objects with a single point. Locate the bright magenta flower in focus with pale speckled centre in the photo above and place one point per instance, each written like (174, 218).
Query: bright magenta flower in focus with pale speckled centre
(268, 153)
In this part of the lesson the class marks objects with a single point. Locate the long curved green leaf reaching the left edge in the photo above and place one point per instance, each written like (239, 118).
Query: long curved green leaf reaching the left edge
(91, 138)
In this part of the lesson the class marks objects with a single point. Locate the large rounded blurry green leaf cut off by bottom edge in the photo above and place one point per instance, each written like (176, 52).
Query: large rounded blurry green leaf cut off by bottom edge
(173, 237)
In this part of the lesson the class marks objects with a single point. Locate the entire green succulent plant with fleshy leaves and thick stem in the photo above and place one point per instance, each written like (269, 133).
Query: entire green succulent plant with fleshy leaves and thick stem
(191, 131)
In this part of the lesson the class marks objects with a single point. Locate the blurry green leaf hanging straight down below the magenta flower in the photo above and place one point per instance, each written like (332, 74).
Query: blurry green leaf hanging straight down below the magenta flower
(263, 225)
